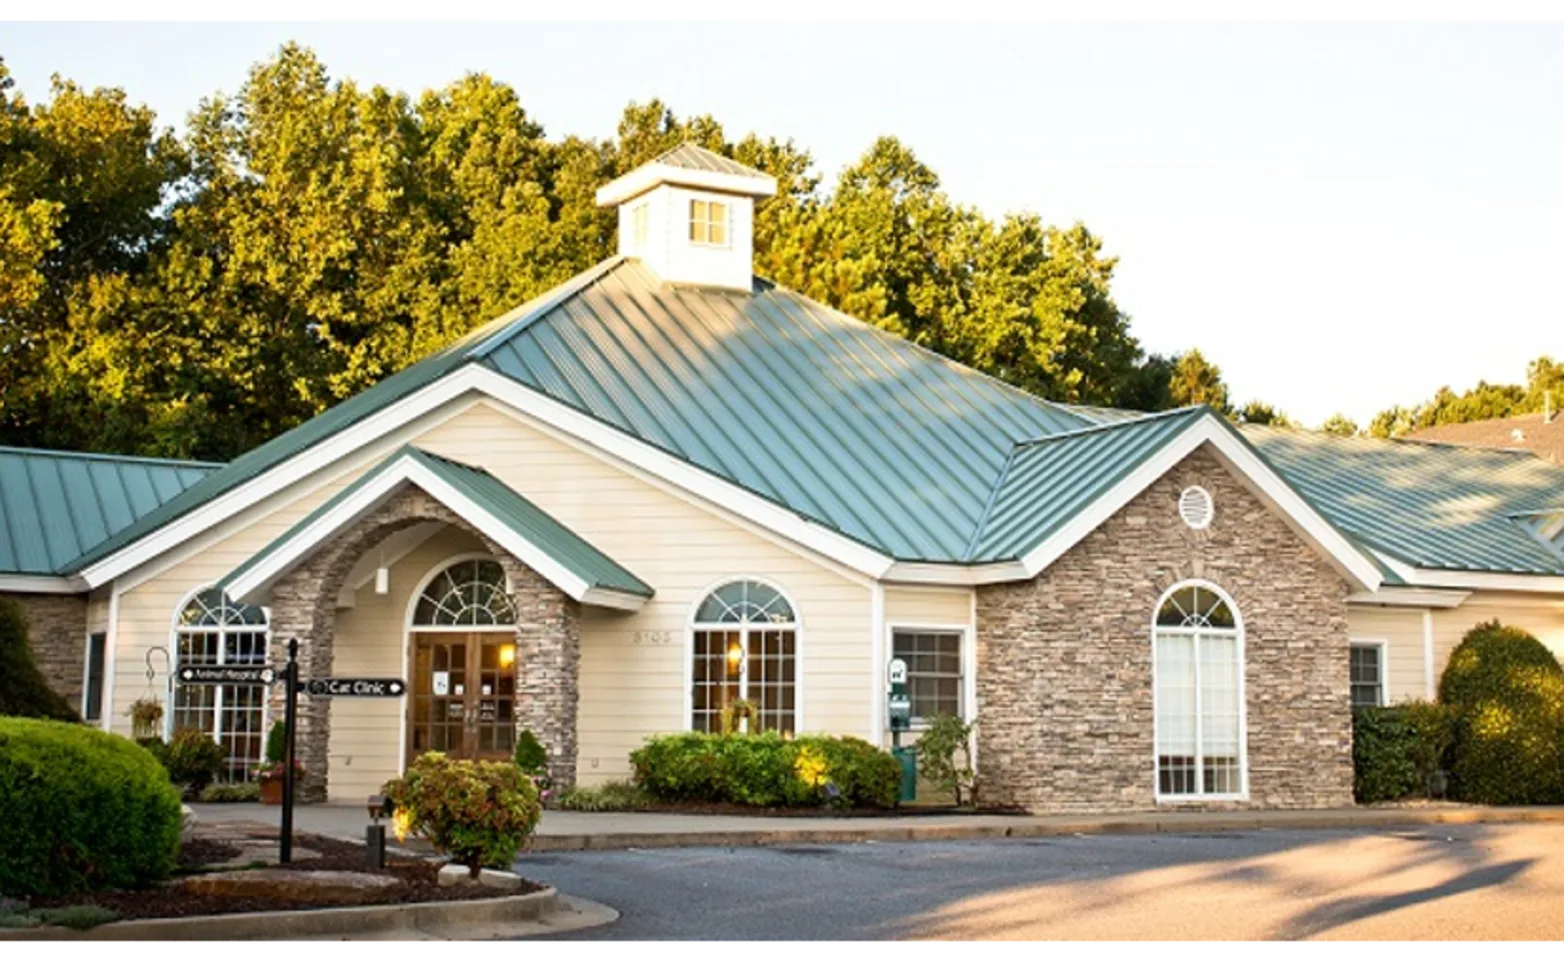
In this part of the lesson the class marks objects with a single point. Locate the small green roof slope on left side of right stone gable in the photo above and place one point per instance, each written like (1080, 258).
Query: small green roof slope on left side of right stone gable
(1052, 479)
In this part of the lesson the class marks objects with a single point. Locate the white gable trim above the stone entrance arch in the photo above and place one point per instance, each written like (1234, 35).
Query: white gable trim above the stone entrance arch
(251, 582)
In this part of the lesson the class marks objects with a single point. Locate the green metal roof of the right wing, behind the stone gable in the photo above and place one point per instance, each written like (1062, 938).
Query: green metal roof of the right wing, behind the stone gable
(1427, 506)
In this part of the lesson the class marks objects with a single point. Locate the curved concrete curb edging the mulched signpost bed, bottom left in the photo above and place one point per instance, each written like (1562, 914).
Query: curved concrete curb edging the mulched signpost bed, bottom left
(281, 925)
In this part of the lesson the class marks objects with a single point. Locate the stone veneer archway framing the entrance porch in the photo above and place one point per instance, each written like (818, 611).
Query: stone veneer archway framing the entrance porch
(548, 637)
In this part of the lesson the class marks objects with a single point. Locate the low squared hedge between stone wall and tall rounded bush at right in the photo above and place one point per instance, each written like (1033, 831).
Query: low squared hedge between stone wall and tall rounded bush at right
(1399, 750)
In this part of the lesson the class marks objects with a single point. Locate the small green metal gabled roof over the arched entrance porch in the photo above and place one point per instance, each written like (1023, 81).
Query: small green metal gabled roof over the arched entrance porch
(501, 503)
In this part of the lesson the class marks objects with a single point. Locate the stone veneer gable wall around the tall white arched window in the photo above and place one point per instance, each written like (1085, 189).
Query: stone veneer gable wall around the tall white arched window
(1064, 661)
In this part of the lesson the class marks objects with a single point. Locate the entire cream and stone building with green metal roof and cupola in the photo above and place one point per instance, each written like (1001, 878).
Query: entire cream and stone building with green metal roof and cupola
(669, 485)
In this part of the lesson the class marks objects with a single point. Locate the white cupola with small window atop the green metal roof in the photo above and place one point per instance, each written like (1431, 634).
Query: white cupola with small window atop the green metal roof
(691, 217)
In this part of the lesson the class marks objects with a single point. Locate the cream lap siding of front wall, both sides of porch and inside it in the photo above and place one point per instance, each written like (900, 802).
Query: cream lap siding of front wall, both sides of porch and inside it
(634, 667)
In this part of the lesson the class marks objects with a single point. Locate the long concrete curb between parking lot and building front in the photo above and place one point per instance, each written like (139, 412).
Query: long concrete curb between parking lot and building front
(1174, 823)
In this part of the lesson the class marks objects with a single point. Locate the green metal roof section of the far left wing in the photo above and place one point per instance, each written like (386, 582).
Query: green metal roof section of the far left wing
(56, 506)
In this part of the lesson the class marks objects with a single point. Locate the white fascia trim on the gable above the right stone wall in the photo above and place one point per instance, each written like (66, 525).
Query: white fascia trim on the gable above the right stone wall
(1347, 559)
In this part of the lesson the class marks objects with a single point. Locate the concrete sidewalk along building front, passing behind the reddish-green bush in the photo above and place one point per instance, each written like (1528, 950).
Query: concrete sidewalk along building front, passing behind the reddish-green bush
(567, 831)
